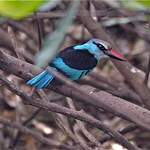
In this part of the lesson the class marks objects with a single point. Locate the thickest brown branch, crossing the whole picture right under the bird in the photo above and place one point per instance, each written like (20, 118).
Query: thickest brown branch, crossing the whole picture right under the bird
(102, 100)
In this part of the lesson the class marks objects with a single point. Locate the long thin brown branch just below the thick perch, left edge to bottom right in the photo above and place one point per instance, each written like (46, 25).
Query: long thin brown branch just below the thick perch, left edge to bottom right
(60, 109)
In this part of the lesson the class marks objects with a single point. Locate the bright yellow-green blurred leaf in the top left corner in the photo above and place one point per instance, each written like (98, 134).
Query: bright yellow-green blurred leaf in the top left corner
(17, 9)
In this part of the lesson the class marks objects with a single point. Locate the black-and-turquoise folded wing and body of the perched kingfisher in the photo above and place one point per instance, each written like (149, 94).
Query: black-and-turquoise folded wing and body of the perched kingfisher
(74, 64)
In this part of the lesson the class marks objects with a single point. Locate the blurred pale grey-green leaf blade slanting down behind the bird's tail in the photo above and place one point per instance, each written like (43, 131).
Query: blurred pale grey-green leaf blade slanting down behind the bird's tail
(52, 43)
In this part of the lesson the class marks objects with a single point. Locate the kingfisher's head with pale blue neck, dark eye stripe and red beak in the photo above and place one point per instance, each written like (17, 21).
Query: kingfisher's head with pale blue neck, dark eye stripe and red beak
(101, 49)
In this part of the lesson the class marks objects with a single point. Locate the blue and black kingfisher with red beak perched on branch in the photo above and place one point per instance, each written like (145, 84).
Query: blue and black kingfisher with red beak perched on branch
(76, 62)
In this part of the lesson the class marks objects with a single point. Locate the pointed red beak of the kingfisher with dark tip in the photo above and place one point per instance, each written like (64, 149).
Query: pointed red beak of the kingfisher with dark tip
(114, 54)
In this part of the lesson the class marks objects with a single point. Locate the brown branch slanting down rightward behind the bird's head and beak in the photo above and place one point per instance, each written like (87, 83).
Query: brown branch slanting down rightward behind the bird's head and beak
(125, 68)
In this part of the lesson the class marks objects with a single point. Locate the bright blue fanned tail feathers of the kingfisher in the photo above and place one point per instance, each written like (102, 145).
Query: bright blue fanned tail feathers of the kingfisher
(40, 81)
